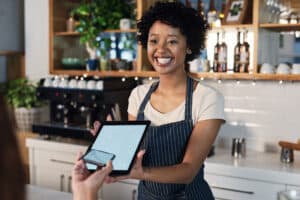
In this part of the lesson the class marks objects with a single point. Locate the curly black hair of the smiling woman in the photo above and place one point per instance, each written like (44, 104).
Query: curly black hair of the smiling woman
(190, 23)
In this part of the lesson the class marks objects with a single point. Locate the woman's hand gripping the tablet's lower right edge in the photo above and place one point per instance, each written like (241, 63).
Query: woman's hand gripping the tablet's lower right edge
(137, 171)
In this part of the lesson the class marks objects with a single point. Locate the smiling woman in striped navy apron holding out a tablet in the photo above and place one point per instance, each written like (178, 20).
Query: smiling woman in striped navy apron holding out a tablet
(185, 115)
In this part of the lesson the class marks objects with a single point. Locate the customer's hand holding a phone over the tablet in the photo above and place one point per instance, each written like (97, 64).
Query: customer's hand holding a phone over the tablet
(86, 185)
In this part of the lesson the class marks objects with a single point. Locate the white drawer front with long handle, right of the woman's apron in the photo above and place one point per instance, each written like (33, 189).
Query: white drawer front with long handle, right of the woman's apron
(225, 187)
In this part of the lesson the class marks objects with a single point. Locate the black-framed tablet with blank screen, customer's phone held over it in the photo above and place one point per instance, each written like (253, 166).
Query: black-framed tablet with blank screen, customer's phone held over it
(118, 141)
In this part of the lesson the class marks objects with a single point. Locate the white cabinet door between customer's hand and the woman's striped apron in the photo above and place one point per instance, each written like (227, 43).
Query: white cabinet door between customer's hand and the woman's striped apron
(119, 191)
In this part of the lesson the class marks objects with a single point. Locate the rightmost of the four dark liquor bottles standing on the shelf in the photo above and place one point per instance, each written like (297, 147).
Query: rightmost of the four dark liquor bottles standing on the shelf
(245, 54)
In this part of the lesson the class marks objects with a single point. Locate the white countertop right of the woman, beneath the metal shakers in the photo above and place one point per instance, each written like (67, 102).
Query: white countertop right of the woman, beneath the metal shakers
(256, 165)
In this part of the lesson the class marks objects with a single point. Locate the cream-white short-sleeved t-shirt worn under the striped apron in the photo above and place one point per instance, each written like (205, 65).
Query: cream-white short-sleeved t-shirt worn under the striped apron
(208, 103)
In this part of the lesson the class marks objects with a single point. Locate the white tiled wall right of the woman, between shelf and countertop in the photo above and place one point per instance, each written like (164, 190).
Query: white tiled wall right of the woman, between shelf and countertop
(263, 112)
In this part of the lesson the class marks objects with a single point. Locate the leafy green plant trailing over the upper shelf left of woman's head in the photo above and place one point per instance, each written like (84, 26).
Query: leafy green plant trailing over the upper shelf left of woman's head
(98, 15)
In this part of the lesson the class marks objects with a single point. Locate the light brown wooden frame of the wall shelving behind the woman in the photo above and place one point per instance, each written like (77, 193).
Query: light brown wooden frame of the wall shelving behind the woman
(66, 43)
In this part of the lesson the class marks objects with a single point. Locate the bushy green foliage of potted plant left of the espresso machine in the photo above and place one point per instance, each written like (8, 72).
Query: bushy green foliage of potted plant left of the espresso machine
(21, 93)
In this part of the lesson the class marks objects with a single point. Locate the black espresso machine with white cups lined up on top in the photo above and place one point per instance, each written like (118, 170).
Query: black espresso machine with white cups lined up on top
(76, 102)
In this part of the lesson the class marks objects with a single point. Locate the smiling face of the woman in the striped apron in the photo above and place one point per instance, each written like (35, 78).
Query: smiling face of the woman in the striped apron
(166, 48)
